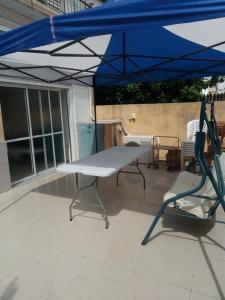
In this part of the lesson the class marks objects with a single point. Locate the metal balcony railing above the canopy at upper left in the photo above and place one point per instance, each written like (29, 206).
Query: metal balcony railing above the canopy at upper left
(66, 6)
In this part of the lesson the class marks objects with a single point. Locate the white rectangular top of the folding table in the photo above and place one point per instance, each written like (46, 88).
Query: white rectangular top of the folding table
(104, 163)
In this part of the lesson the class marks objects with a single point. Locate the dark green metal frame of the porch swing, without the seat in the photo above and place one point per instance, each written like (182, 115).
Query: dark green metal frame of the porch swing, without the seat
(205, 170)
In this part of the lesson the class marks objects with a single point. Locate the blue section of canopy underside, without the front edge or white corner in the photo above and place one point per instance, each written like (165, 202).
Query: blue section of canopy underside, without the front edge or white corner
(155, 54)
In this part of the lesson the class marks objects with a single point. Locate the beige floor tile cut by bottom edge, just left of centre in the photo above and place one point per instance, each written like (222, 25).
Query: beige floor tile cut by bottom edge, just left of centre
(93, 280)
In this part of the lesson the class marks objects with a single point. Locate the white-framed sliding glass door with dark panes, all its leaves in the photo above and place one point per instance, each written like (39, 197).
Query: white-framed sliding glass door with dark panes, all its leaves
(33, 128)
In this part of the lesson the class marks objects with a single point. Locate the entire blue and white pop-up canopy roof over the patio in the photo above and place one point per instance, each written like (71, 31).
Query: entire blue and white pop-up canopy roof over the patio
(120, 42)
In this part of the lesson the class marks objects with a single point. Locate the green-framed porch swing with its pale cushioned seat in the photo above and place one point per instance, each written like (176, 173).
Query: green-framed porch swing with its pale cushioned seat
(201, 200)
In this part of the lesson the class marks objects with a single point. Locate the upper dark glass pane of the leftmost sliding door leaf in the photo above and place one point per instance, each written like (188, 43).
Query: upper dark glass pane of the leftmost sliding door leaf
(14, 112)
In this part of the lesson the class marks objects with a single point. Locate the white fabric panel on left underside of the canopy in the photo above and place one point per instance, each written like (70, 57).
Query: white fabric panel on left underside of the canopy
(70, 62)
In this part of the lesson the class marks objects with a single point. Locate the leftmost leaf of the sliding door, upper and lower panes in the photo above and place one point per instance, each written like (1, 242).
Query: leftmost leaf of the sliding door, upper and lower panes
(16, 131)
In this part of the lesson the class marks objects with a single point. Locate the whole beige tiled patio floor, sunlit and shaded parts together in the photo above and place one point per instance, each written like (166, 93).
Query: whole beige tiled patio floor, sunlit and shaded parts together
(45, 256)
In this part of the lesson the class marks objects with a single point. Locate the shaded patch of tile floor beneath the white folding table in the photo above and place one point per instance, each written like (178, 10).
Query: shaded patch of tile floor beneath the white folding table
(114, 201)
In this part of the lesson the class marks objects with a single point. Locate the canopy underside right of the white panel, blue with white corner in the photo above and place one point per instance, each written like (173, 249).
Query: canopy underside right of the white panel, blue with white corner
(183, 51)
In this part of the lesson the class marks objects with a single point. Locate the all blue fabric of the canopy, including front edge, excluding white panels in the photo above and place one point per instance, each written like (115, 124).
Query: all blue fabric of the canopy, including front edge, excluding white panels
(140, 49)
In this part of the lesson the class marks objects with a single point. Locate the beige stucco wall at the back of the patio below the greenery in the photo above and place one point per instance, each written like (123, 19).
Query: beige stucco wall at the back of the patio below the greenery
(157, 119)
